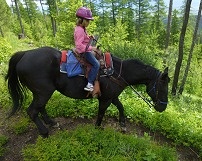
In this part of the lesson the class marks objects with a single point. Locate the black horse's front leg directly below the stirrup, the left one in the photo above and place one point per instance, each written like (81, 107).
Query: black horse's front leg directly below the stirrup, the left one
(103, 105)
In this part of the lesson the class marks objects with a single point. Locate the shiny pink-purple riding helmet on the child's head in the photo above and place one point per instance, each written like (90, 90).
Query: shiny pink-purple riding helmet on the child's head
(85, 13)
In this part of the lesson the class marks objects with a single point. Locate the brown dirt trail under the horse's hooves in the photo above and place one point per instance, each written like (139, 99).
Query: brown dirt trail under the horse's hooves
(17, 142)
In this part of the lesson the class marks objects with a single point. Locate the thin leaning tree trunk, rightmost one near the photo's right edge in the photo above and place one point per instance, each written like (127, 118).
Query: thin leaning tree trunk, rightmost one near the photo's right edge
(191, 49)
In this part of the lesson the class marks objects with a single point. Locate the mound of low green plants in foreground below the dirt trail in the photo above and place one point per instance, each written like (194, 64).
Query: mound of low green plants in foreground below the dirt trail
(88, 143)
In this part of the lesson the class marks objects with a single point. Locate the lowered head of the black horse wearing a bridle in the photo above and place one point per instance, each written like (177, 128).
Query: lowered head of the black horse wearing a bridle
(158, 91)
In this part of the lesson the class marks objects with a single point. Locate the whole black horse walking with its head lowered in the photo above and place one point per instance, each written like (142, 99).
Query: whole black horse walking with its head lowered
(39, 71)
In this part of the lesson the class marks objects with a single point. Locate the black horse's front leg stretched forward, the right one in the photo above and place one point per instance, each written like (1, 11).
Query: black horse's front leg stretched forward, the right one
(119, 105)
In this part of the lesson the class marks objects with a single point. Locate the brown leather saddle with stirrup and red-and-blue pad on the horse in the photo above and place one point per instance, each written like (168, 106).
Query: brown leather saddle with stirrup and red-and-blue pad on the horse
(74, 64)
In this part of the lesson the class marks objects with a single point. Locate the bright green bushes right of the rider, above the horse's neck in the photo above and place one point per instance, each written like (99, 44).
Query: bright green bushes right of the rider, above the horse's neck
(115, 41)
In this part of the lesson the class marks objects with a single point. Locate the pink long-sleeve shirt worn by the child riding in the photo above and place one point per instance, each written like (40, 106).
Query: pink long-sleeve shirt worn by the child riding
(81, 39)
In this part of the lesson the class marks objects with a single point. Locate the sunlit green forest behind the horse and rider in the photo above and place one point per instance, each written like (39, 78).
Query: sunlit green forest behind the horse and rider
(136, 29)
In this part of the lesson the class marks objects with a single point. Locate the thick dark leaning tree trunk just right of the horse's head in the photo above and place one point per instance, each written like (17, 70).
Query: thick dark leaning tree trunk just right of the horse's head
(181, 47)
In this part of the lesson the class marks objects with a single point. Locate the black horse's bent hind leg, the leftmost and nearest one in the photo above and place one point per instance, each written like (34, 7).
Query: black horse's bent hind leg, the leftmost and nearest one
(35, 107)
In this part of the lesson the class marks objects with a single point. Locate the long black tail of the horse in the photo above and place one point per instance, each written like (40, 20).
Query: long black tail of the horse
(15, 88)
